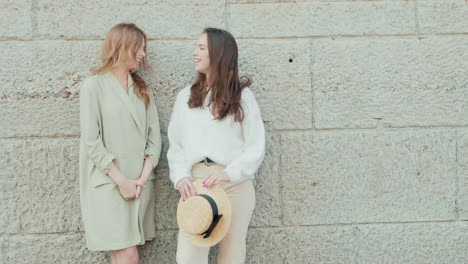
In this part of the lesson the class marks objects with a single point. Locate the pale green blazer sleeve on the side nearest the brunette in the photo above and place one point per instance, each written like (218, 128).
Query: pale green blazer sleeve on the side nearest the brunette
(153, 143)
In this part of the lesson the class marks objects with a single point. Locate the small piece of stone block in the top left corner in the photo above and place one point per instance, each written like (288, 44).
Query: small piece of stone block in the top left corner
(16, 19)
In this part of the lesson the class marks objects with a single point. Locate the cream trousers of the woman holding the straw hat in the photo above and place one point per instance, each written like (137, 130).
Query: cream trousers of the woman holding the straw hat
(232, 248)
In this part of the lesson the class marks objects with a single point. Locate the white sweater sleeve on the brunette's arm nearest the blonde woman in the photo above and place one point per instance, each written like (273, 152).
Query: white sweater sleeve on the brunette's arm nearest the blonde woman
(175, 155)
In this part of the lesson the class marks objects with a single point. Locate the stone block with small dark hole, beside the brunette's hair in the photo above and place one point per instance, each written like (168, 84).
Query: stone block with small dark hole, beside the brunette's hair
(281, 82)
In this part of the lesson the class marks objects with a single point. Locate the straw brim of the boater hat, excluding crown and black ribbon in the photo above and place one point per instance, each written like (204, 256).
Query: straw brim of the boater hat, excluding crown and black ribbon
(224, 208)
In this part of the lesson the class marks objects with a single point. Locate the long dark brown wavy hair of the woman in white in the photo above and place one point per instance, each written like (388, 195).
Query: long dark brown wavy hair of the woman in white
(225, 84)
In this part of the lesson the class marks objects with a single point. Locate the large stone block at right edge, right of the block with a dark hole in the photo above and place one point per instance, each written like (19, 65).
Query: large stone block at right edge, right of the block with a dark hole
(401, 82)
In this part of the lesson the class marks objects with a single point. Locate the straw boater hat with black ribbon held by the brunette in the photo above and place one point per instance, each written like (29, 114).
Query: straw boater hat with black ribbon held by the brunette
(195, 216)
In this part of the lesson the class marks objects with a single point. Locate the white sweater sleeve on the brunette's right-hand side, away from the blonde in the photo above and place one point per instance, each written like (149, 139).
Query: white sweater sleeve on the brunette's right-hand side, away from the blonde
(244, 166)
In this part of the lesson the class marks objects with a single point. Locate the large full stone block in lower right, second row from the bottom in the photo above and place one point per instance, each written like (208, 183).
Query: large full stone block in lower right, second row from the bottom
(368, 176)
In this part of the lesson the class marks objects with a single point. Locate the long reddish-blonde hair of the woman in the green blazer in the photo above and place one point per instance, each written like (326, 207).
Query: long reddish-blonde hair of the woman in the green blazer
(121, 39)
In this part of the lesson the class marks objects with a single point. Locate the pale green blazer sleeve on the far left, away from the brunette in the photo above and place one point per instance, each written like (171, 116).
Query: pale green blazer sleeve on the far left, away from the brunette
(91, 127)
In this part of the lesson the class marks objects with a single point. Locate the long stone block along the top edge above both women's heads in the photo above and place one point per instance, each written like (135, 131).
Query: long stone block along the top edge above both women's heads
(160, 19)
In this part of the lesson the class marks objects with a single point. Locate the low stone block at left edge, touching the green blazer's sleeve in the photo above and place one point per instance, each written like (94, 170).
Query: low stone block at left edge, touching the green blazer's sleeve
(39, 117)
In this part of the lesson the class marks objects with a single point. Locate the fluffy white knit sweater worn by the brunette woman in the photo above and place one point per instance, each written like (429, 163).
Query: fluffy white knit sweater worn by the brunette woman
(194, 134)
